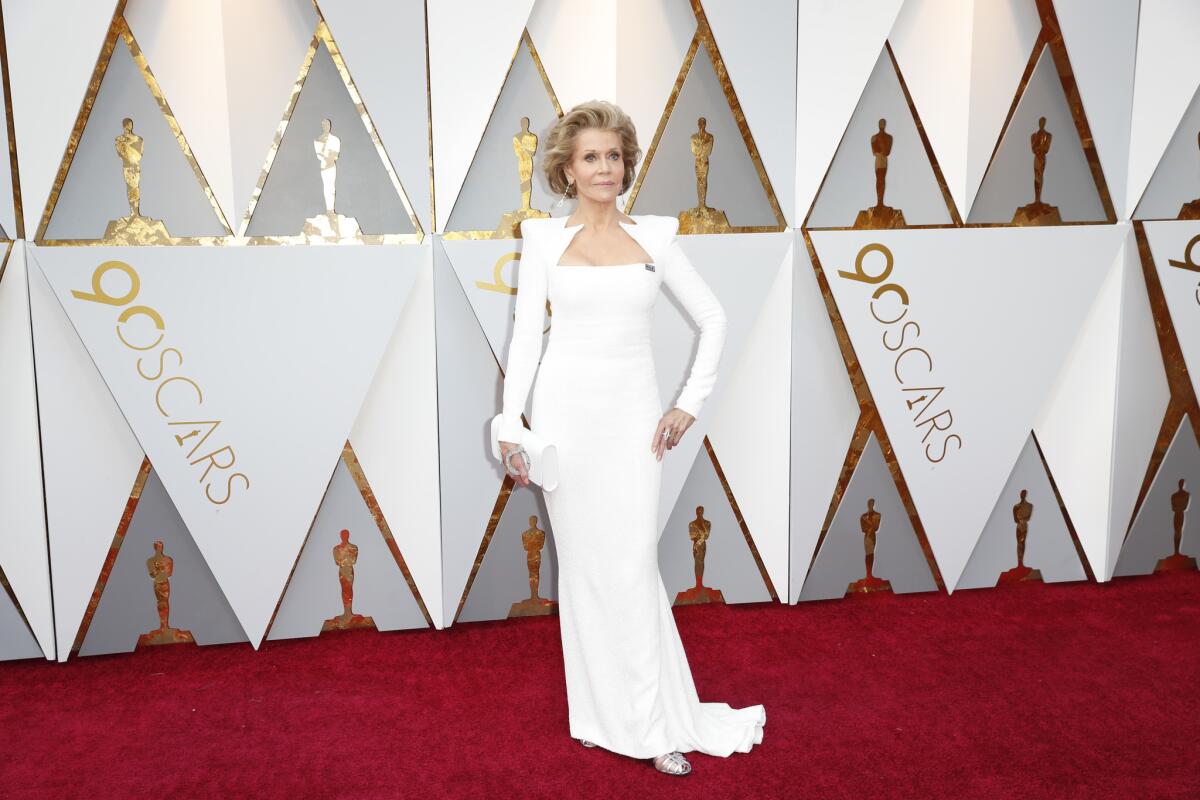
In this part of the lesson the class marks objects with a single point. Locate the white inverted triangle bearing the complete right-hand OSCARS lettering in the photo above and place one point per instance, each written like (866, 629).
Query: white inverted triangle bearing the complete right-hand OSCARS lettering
(959, 376)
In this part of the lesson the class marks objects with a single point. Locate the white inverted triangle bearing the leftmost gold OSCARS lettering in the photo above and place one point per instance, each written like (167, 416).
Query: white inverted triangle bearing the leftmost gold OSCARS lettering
(265, 360)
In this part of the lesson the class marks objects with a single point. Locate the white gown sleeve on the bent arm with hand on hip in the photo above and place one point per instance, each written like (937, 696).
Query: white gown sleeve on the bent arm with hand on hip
(707, 312)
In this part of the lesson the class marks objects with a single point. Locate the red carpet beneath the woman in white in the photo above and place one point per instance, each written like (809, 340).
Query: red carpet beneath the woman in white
(1039, 691)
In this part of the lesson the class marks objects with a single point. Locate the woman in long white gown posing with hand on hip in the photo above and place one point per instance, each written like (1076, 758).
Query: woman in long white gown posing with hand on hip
(629, 688)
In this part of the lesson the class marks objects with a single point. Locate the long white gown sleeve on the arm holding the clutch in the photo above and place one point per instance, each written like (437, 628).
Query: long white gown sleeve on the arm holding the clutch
(525, 347)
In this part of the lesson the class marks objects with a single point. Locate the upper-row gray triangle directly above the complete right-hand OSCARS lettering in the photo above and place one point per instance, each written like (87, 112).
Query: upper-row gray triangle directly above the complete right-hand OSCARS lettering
(911, 184)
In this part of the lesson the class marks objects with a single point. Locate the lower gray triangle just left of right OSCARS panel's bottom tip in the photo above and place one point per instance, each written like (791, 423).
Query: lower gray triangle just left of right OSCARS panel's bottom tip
(898, 555)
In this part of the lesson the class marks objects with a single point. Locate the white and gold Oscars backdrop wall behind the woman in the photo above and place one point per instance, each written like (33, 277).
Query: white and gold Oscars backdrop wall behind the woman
(261, 263)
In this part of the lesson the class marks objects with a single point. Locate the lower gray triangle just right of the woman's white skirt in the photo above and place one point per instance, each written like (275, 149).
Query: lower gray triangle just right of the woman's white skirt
(729, 564)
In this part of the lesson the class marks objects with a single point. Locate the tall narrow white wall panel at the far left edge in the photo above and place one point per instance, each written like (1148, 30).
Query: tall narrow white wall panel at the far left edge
(23, 549)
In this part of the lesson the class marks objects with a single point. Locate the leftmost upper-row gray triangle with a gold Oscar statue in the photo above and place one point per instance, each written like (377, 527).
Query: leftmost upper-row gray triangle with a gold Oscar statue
(95, 193)
